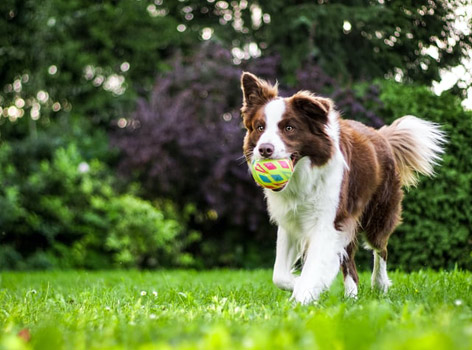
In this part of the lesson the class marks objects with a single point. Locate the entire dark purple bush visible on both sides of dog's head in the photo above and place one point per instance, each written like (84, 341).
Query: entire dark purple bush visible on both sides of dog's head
(185, 141)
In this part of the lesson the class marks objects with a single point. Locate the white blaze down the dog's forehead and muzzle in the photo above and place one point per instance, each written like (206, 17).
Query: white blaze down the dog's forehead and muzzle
(273, 111)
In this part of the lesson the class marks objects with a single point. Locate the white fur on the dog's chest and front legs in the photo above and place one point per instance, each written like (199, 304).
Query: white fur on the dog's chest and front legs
(305, 211)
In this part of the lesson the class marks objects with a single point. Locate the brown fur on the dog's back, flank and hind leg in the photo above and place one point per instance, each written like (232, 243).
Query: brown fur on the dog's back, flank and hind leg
(371, 192)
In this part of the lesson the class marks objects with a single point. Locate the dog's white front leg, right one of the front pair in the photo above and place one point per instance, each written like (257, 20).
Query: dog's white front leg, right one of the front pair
(322, 262)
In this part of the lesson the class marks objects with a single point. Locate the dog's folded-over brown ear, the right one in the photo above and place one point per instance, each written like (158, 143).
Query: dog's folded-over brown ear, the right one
(311, 106)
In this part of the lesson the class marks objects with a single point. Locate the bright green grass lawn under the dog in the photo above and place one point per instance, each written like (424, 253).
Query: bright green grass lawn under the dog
(229, 310)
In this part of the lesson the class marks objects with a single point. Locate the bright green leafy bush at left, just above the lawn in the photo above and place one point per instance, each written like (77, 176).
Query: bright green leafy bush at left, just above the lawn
(65, 212)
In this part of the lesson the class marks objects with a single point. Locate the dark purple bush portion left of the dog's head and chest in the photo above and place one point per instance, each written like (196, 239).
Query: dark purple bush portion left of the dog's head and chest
(185, 141)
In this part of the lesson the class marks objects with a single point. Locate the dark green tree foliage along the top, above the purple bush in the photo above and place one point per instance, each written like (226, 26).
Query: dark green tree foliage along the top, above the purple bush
(95, 57)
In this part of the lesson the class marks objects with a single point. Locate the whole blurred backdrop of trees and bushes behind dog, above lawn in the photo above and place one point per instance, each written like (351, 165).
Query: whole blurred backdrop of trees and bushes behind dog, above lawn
(121, 138)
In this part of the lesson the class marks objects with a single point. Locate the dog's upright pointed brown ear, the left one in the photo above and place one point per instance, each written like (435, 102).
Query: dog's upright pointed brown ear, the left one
(256, 92)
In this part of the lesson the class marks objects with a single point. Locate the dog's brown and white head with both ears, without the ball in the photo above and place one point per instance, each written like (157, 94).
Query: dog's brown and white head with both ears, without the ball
(294, 127)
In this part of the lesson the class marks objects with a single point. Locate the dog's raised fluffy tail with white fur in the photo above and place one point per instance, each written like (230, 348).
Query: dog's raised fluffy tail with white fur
(417, 146)
